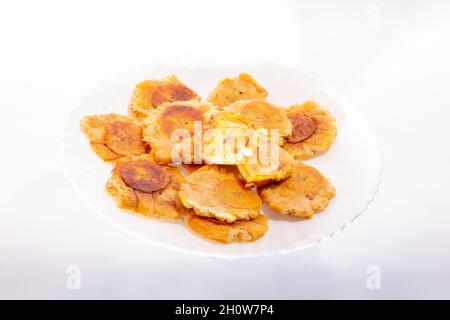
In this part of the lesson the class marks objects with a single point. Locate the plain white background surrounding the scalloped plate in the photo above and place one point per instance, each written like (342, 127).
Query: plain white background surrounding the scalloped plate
(389, 58)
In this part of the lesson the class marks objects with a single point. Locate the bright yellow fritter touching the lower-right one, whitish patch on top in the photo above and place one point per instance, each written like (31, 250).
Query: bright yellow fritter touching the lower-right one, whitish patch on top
(264, 166)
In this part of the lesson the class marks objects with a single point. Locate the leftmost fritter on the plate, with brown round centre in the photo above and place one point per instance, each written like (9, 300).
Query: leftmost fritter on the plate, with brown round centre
(113, 136)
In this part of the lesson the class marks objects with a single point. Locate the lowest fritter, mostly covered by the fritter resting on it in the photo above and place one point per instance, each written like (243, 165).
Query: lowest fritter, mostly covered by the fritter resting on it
(239, 231)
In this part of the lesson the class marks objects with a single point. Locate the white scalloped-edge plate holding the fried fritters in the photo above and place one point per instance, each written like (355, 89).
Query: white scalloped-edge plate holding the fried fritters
(353, 164)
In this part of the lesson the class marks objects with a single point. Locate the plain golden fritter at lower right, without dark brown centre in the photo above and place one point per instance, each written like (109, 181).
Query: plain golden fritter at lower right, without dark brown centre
(305, 192)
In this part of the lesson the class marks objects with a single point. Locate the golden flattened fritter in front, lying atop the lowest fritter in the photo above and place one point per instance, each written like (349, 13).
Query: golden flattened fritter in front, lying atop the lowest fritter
(217, 192)
